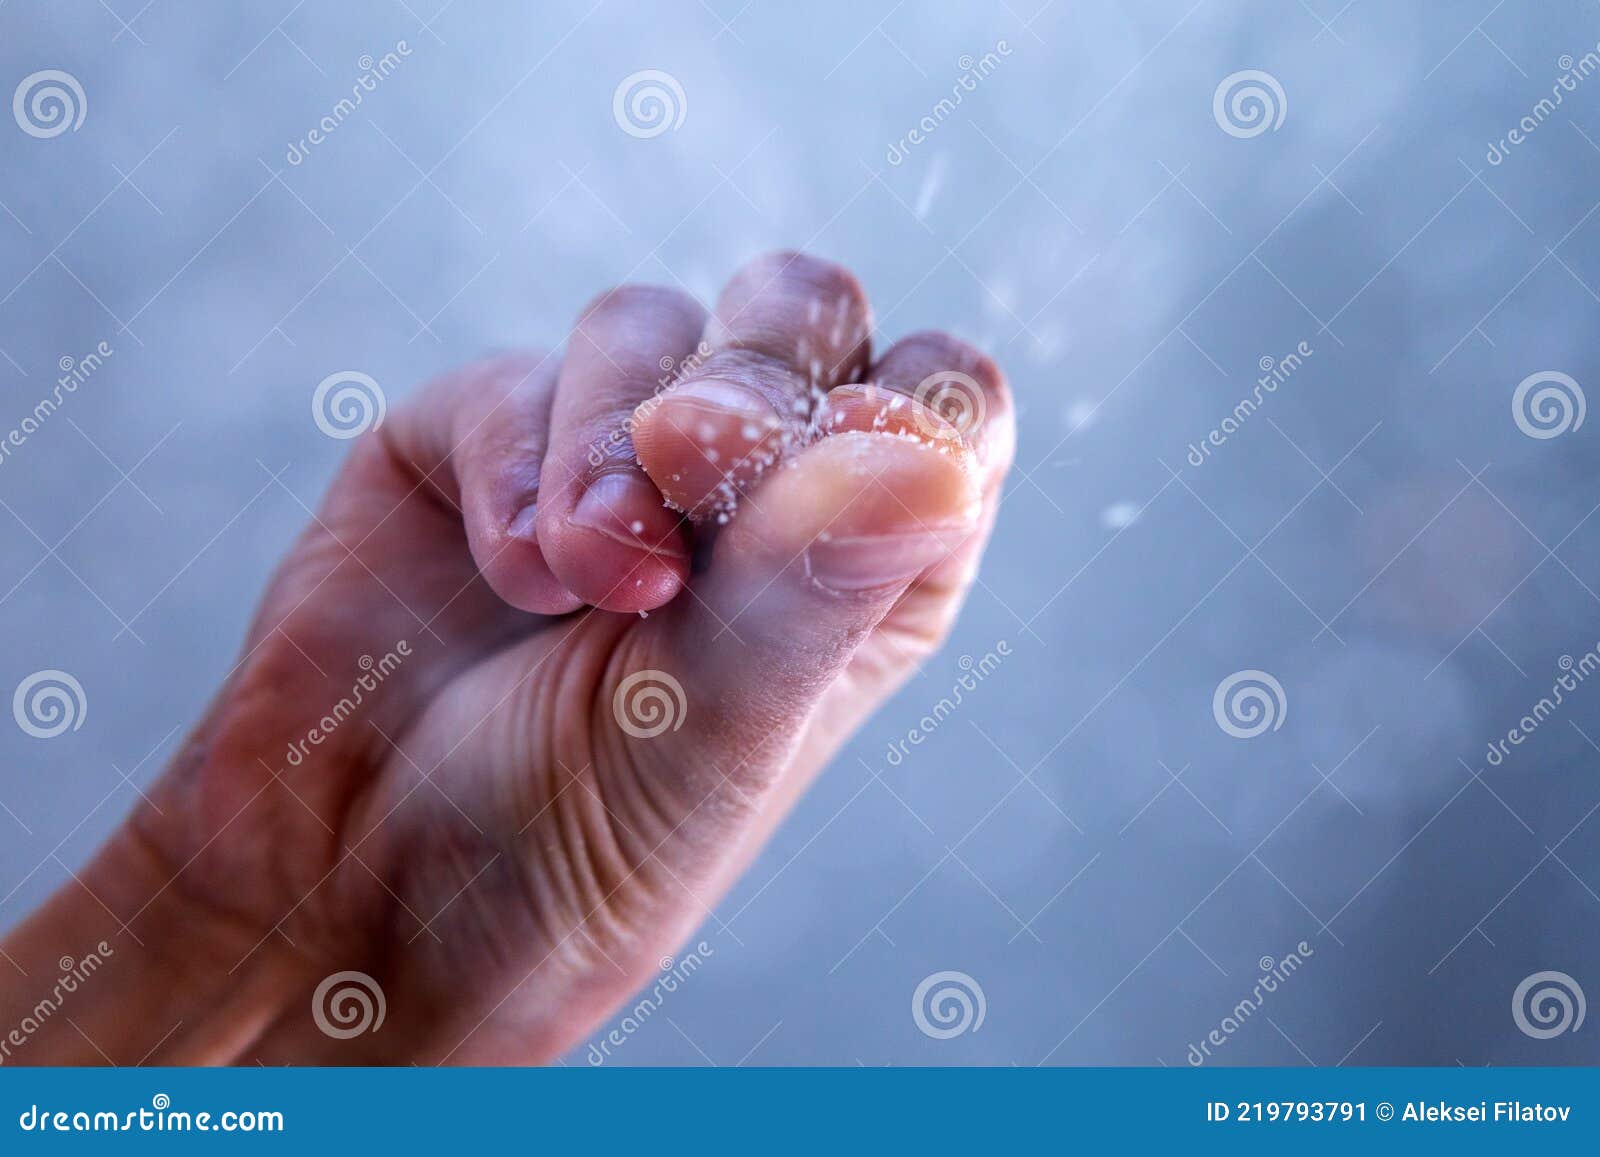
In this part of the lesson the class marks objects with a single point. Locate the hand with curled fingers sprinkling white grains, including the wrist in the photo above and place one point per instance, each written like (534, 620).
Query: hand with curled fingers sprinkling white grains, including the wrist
(508, 724)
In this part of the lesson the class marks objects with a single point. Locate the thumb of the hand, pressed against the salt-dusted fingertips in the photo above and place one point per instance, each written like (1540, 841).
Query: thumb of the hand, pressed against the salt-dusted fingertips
(812, 562)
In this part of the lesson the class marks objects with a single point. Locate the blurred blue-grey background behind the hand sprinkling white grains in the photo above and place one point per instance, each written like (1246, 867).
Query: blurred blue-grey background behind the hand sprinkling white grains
(1081, 838)
